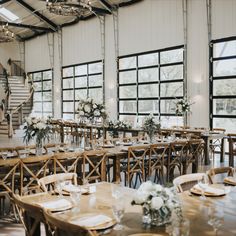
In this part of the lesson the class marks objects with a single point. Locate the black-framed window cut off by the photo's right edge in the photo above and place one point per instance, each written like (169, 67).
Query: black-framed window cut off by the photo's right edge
(223, 84)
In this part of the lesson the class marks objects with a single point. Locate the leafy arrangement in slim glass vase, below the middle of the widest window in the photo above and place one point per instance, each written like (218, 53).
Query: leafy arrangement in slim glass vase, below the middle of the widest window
(151, 126)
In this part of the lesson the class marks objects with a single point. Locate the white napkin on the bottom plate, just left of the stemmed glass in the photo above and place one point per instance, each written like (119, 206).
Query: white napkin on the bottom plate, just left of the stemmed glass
(92, 221)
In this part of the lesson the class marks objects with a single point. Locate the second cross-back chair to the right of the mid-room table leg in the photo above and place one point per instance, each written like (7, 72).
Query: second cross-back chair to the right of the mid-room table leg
(158, 156)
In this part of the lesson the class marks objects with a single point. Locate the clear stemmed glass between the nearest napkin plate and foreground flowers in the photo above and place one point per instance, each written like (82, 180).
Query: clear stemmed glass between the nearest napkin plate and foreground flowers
(118, 209)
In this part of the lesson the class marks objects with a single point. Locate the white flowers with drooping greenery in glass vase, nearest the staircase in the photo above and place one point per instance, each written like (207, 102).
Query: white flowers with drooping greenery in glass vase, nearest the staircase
(38, 128)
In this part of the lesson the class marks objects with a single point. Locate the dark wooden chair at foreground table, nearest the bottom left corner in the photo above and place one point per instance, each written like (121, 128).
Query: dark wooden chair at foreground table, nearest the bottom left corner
(30, 216)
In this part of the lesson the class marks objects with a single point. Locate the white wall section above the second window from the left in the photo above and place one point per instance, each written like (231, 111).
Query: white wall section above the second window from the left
(82, 42)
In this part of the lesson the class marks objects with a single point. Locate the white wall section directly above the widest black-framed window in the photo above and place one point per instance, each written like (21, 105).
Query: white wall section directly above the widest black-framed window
(150, 25)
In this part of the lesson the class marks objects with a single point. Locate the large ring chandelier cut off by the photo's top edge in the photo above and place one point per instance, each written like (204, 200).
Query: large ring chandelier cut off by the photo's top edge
(68, 7)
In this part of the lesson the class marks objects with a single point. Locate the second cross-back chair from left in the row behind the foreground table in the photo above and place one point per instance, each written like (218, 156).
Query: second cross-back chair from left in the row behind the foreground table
(32, 169)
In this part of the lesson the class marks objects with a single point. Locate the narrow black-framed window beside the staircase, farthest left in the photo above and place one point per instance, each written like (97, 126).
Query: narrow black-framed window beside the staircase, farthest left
(42, 100)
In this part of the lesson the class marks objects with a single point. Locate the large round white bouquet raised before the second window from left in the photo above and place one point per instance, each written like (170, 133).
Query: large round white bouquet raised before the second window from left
(90, 109)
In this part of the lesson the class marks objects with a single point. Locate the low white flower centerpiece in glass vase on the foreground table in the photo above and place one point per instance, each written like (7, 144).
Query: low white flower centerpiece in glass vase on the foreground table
(159, 203)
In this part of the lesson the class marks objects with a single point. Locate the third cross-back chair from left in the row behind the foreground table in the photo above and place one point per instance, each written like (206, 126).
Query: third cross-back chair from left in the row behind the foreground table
(70, 162)
